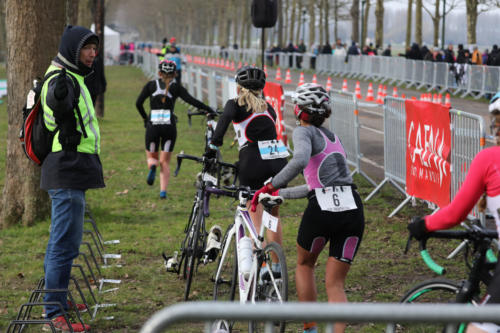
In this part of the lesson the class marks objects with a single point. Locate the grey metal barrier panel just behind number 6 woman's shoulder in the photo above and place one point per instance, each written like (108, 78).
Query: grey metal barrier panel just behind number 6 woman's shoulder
(344, 122)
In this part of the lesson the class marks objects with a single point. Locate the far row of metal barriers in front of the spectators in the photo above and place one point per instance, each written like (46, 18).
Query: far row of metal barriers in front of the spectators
(476, 80)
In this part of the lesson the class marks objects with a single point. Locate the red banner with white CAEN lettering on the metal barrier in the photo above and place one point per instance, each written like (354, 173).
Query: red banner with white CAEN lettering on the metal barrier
(428, 144)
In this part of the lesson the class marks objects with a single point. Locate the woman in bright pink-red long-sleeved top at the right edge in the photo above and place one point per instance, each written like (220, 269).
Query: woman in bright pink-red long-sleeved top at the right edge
(482, 182)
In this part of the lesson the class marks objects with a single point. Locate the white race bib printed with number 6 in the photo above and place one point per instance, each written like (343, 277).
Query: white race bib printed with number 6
(336, 198)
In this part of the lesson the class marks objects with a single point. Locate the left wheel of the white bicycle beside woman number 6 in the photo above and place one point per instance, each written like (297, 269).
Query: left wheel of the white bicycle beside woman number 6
(227, 267)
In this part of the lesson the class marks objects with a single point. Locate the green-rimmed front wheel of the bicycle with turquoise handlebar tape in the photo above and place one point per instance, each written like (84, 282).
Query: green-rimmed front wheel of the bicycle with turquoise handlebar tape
(429, 291)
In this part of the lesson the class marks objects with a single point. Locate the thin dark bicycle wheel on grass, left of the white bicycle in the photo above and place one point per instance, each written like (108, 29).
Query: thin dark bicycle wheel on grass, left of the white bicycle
(194, 250)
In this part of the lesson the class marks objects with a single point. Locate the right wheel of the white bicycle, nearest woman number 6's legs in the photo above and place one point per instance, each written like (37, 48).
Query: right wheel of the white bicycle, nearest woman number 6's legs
(271, 288)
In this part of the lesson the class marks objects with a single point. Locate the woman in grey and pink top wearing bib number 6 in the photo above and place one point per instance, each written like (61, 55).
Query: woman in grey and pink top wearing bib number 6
(334, 212)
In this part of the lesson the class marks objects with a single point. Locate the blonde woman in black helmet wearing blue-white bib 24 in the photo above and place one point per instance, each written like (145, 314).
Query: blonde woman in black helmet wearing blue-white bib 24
(254, 122)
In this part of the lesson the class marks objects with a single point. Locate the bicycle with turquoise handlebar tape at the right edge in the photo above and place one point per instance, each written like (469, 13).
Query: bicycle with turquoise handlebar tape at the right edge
(480, 260)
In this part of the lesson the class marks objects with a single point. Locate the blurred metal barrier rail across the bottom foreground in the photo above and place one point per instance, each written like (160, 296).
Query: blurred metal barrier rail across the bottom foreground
(321, 312)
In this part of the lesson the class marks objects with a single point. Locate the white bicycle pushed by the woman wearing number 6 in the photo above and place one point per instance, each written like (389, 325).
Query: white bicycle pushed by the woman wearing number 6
(252, 287)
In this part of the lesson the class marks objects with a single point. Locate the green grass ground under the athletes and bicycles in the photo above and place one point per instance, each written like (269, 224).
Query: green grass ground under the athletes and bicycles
(131, 211)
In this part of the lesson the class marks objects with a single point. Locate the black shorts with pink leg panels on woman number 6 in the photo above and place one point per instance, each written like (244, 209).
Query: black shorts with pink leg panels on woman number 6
(344, 230)
